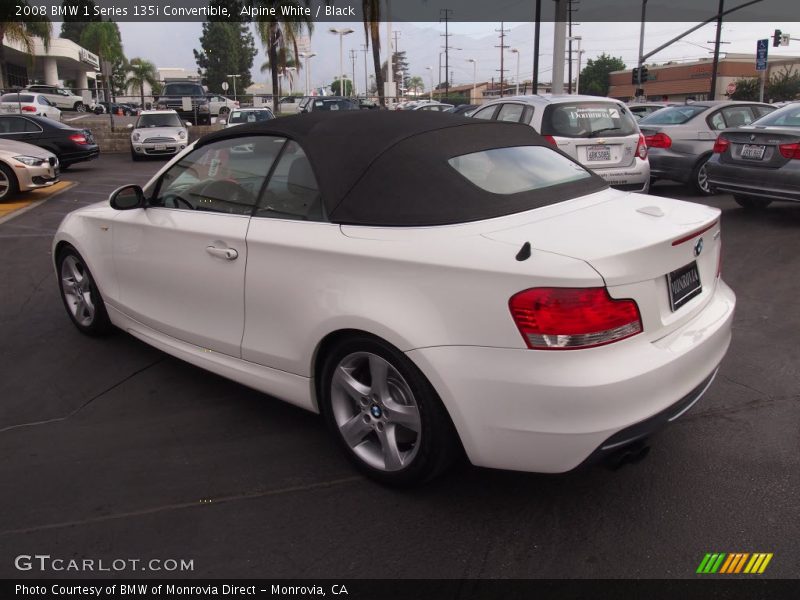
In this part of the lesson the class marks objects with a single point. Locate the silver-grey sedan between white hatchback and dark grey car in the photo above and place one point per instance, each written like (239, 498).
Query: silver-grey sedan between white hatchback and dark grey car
(680, 139)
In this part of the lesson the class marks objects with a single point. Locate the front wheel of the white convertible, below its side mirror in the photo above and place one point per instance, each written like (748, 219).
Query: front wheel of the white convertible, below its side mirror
(98, 323)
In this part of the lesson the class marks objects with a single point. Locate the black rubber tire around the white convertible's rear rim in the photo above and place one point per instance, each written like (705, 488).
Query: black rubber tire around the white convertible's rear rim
(430, 451)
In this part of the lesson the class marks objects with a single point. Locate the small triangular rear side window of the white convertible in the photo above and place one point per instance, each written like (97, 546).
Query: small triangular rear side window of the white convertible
(292, 191)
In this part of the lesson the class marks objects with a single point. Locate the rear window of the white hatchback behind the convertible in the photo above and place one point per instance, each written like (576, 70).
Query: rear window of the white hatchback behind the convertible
(588, 119)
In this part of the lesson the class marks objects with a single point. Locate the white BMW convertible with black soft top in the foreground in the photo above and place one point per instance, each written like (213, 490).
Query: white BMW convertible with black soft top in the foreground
(429, 284)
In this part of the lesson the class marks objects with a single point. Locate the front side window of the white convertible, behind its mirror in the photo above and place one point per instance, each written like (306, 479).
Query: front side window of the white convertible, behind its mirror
(222, 177)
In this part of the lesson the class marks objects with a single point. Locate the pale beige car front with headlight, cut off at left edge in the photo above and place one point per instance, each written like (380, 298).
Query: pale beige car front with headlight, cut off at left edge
(24, 167)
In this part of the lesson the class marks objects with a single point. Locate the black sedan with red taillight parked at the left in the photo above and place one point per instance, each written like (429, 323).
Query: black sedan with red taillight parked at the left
(69, 144)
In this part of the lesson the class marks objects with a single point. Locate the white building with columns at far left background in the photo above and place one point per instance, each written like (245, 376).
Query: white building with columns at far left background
(63, 61)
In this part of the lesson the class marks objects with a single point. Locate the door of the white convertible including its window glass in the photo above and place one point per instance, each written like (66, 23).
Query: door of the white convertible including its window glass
(180, 262)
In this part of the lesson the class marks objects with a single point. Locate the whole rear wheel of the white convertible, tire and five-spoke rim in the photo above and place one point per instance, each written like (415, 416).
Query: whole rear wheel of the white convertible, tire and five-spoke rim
(385, 414)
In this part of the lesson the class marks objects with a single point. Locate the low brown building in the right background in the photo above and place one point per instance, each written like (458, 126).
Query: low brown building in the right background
(676, 82)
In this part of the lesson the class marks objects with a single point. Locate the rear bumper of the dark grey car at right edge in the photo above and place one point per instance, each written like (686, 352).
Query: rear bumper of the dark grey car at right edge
(774, 184)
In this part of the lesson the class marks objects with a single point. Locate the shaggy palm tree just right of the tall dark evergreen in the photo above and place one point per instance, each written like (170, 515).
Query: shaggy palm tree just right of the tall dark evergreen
(279, 35)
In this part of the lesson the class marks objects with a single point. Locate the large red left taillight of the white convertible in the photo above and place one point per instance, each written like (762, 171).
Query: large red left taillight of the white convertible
(573, 318)
